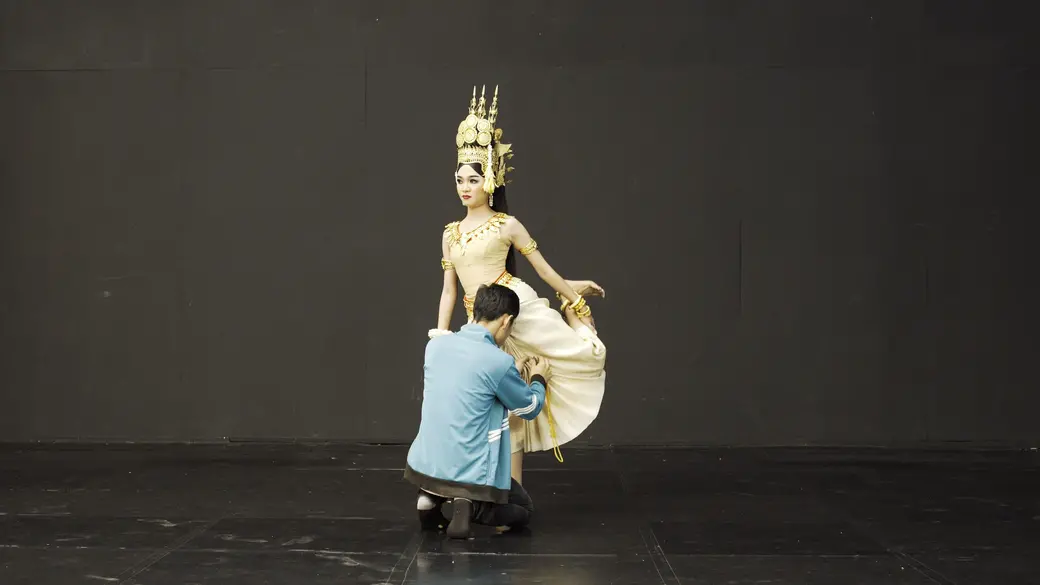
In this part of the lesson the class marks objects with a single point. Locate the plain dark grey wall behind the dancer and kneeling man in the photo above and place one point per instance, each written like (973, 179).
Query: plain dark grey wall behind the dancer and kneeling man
(222, 219)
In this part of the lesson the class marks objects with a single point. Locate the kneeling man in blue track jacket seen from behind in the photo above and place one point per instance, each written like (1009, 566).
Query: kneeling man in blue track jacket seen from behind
(462, 450)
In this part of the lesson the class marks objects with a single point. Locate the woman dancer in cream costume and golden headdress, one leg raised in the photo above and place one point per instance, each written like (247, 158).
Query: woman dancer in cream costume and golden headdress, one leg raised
(480, 250)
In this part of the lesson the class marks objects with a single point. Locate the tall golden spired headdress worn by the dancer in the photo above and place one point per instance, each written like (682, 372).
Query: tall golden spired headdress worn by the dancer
(479, 141)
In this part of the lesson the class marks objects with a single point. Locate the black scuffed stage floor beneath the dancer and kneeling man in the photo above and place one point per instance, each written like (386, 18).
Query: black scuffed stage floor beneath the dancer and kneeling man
(252, 515)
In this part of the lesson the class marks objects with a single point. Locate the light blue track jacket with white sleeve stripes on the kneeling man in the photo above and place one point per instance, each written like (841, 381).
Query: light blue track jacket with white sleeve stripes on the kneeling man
(471, 387)
